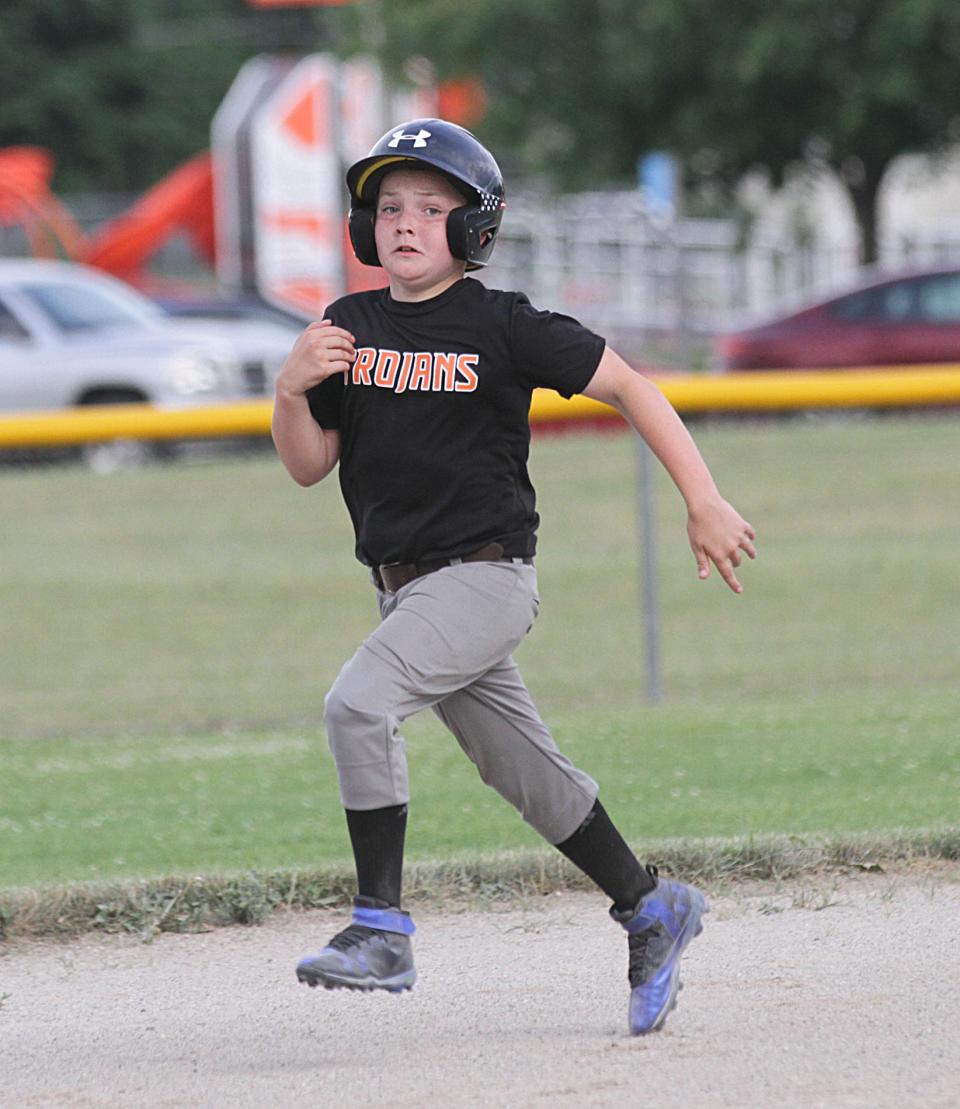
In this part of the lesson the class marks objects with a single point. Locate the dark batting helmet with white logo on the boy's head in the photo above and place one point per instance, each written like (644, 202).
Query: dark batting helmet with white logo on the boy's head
(432, 145)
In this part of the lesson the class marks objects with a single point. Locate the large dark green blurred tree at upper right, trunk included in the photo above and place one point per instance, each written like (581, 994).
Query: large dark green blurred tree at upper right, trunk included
(580, 88)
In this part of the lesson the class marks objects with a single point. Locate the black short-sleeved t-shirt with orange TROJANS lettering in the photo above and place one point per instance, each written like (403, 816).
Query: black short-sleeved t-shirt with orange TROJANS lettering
(434, 420)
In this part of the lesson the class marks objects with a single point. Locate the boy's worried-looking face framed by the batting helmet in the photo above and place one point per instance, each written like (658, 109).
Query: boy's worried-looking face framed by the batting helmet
(411, 233)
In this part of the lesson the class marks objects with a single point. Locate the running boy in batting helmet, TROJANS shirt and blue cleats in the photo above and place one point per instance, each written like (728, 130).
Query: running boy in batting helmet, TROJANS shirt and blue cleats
(421, 393)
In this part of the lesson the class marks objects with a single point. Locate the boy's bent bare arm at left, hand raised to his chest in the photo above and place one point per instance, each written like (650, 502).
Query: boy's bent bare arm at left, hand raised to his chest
(307, 450)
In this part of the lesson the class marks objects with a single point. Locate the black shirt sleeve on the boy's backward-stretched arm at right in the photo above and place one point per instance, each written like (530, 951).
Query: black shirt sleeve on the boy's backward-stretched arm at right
(554, 351)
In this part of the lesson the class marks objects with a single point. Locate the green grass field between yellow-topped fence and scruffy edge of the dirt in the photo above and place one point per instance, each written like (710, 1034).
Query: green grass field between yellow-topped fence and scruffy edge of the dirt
(169, 636)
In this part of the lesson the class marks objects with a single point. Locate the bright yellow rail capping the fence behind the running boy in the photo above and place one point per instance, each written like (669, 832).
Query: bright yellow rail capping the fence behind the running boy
(691, 393)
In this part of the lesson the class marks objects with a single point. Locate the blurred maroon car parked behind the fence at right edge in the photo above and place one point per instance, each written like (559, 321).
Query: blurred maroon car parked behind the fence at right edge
(905, 321)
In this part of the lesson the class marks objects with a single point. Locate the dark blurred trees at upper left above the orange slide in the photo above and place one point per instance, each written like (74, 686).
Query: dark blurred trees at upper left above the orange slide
(119, 91)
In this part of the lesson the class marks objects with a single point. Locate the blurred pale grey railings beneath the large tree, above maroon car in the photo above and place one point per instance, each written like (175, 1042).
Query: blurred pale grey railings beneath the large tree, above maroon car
(661, 290)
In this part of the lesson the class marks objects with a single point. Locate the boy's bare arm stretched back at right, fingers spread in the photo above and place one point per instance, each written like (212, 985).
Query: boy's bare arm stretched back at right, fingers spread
(718, 533)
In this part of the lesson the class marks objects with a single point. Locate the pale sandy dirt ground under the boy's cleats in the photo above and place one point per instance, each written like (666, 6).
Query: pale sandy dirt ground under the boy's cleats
(834, 992)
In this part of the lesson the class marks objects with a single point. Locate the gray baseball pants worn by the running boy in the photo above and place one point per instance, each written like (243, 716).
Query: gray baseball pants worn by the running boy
(445, 644)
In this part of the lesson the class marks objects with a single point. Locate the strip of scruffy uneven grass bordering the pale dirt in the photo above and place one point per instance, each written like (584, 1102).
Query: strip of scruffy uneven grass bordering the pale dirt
(200, 903)
